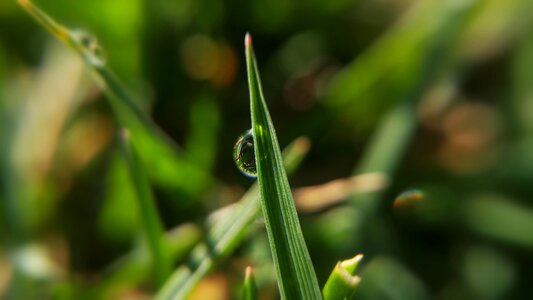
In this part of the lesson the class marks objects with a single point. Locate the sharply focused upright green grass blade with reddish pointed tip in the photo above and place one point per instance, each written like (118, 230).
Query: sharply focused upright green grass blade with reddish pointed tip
(295, 273)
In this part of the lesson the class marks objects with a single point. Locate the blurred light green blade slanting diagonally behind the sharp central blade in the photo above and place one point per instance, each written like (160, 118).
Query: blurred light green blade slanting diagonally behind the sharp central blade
(225, 234)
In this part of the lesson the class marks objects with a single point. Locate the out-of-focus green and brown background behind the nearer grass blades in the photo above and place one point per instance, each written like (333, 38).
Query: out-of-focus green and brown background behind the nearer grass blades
(419, 115)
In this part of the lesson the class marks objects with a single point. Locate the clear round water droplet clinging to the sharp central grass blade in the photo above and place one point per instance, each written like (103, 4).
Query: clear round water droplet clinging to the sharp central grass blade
(244, 154)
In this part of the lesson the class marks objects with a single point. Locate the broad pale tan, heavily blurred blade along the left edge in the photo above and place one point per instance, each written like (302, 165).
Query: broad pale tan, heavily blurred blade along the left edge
(31, 134)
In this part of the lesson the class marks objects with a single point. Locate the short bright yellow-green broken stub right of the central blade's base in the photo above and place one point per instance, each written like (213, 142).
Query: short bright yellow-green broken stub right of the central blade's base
(343, 282)
